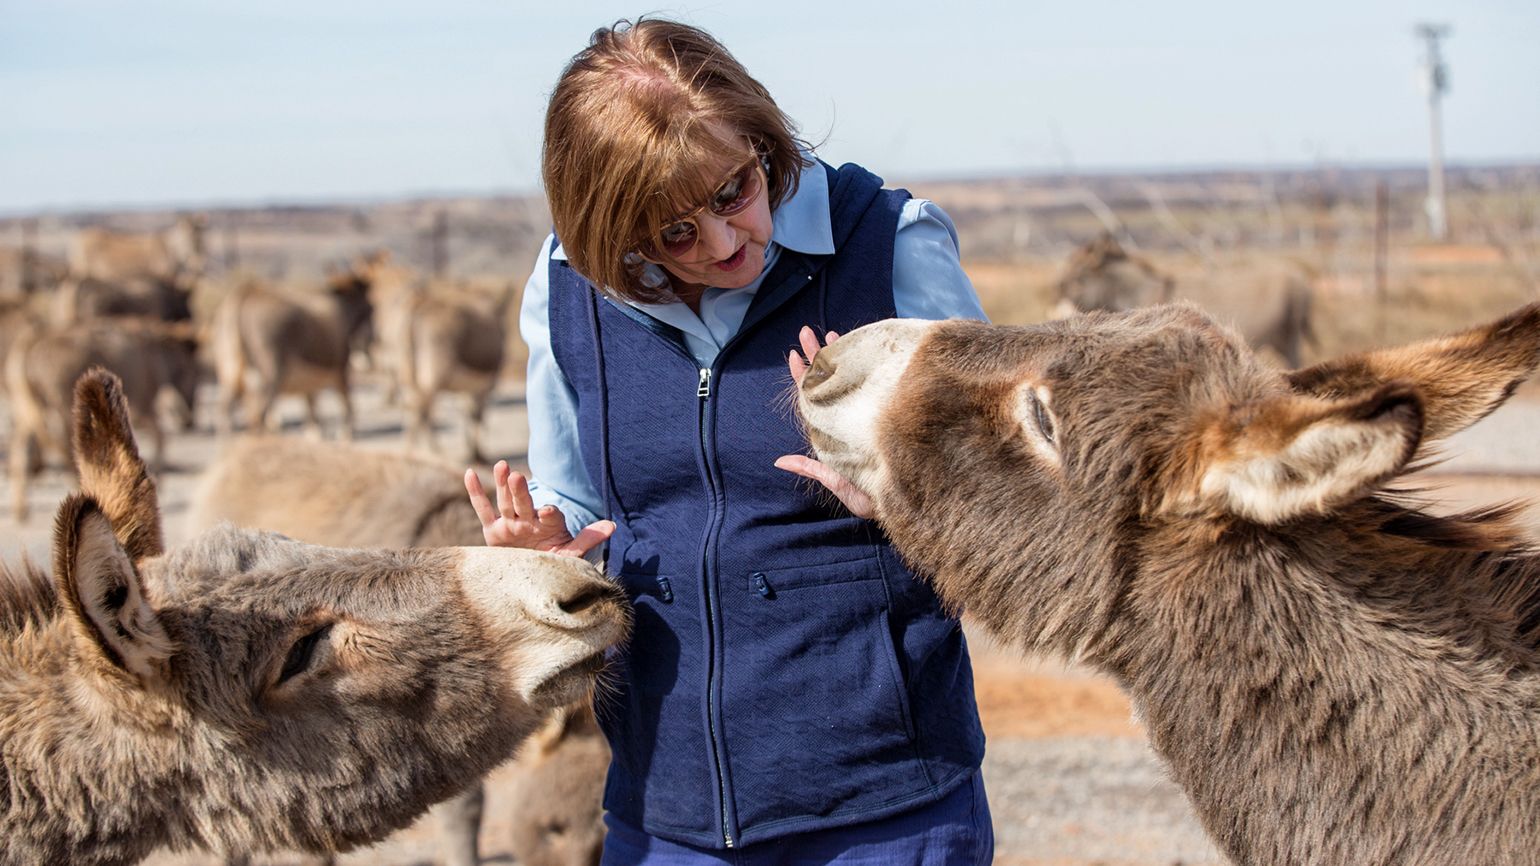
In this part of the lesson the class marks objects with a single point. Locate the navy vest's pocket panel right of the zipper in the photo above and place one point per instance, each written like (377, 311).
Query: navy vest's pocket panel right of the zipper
(817, 711)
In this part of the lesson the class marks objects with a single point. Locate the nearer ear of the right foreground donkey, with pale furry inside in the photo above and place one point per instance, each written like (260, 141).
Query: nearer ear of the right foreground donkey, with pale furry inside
(1293, 457)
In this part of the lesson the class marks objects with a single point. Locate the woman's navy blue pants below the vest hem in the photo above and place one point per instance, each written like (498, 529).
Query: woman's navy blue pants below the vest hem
(954, 831)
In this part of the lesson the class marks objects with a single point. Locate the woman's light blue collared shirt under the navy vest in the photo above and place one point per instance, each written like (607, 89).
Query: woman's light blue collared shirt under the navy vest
(928, 284)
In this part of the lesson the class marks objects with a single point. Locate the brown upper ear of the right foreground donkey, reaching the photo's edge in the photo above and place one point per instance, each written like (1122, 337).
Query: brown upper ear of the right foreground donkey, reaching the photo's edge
(1462, 378)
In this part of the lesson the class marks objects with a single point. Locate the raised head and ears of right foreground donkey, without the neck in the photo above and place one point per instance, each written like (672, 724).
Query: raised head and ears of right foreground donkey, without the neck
(1017, 465)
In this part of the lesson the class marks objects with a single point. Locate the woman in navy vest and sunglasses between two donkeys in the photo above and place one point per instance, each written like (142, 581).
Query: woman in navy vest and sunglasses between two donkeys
(791, 693)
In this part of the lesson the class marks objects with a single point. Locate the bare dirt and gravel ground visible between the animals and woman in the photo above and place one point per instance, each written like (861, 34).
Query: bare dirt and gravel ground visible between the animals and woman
(1070, 776)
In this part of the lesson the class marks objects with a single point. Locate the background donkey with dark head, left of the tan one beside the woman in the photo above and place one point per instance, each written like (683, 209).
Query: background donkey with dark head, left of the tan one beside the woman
(292, 344)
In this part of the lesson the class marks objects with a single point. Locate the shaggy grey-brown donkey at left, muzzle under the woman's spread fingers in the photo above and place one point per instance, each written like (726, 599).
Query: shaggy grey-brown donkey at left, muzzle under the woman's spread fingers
(249, 693)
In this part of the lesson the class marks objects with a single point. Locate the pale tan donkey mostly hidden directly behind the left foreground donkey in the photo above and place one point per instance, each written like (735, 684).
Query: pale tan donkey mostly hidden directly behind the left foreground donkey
(343, 495)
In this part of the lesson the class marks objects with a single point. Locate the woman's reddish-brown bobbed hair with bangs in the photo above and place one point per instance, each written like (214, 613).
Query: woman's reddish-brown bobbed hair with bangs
(631, 124)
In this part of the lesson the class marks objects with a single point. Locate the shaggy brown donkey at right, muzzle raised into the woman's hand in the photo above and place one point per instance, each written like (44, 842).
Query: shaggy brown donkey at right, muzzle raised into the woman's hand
(1333, 674)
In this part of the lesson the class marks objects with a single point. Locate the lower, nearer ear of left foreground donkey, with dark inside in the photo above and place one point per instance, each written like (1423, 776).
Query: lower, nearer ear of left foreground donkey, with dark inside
(102, 592)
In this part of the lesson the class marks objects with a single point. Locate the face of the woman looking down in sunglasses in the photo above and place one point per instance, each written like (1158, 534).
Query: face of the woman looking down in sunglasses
(729, 252)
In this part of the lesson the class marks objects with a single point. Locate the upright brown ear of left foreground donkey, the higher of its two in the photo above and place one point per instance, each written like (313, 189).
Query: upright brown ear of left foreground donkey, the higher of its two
(112, 471)
